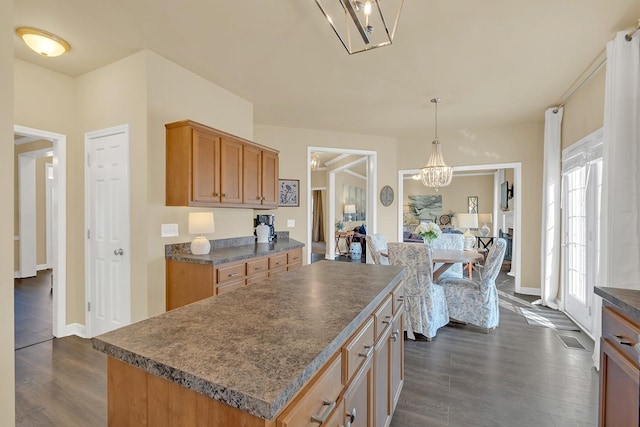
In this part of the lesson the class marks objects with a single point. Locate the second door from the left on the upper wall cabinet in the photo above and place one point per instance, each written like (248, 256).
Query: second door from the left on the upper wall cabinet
(231, 171)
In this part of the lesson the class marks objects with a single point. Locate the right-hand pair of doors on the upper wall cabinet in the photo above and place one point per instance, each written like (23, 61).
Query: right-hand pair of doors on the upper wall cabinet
(260, 180)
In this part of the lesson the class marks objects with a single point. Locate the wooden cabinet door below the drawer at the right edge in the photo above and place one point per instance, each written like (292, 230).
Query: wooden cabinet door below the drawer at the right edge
(619, 378)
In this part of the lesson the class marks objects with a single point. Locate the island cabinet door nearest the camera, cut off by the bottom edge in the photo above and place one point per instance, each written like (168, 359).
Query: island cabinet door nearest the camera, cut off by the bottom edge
(358, 398)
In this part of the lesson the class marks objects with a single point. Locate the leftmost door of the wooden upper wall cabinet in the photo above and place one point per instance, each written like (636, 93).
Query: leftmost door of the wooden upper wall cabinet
(206, 168)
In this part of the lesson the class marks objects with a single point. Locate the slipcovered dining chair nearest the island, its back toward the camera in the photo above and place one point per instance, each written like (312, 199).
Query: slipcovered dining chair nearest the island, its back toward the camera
(425, 303)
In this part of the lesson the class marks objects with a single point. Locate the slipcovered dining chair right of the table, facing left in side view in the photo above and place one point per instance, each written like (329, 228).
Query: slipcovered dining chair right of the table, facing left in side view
(476, 302)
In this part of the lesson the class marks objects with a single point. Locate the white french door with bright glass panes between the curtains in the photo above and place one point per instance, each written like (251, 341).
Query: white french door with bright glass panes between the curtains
(582, 184)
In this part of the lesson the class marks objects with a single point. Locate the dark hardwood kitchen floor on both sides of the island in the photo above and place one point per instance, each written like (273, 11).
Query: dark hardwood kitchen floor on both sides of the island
(517, 375)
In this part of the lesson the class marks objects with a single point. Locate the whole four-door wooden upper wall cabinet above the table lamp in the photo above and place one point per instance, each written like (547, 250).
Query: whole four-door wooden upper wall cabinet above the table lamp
(207, 167)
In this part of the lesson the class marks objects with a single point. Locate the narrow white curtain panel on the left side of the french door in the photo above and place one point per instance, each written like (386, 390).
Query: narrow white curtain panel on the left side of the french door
(551, 222)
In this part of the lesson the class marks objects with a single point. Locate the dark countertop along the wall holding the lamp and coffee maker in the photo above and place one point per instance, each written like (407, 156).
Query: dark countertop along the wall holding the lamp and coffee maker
(221, 255)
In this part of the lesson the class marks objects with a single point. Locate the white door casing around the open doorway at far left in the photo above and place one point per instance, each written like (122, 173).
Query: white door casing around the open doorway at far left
(58, 219)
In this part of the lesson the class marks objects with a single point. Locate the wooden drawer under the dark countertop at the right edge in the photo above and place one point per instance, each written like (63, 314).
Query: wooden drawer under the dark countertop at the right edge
(620, 331)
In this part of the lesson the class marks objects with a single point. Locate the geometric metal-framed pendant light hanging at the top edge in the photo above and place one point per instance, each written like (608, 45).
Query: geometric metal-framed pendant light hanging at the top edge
(362, 25)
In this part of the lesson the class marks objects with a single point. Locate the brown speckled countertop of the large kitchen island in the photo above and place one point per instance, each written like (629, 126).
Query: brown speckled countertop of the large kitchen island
(255, 347)
